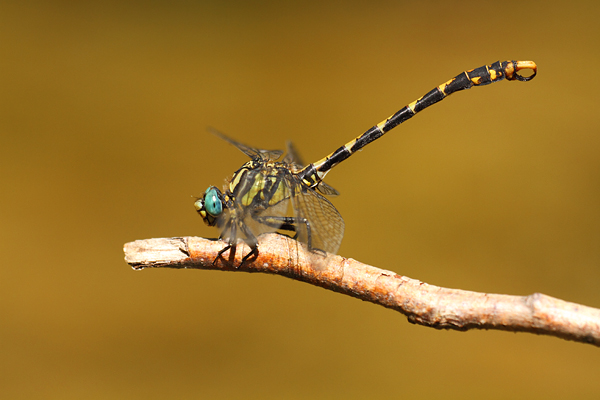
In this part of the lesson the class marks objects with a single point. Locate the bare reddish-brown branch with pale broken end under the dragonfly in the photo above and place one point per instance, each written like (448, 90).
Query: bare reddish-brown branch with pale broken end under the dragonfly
(423, 304)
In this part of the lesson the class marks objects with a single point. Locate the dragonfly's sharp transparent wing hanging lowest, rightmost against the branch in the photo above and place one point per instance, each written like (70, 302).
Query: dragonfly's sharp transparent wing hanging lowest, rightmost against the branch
(325, 228)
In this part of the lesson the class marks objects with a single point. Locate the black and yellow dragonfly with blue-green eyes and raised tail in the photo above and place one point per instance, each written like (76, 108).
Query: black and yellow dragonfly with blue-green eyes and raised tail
(258, 196)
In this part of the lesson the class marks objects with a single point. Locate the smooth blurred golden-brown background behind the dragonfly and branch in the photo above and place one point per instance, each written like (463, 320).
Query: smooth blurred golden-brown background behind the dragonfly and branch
(103, 115)
